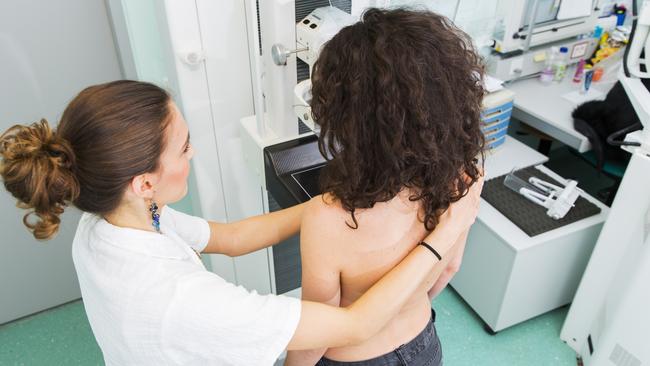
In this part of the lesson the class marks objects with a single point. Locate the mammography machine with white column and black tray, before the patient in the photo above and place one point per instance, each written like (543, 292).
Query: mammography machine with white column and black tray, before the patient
(283, 155)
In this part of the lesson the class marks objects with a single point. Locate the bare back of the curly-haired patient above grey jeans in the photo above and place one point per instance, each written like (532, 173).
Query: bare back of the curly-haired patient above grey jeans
(386, 234)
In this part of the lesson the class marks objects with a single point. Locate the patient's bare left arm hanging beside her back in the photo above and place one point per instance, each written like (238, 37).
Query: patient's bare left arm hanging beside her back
(320, 271)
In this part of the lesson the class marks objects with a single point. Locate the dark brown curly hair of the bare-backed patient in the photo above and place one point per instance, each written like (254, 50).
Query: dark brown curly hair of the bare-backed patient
(398, 100)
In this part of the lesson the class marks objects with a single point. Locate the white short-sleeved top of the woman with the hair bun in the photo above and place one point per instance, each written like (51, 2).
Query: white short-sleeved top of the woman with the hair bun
(150, 300)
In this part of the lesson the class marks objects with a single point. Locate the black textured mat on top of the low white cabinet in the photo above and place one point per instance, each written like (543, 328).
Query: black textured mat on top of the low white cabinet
(528, 216)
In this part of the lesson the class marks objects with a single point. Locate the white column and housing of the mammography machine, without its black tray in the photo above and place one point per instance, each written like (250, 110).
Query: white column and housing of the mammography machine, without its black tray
(278, 25)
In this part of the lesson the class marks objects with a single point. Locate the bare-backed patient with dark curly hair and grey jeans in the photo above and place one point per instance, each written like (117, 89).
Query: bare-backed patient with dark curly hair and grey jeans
(398, 100)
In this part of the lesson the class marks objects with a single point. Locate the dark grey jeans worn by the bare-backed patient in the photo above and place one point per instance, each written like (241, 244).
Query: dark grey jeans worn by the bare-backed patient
(423, 350)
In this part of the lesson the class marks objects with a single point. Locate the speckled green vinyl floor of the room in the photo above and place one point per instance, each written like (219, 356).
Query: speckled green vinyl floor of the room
(62, 336)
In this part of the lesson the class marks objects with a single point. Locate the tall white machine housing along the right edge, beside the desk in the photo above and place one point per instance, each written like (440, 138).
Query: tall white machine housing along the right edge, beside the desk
(609, 322)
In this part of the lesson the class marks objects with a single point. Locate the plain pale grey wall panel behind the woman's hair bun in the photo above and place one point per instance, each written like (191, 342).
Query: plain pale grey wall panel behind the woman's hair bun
(49, 51)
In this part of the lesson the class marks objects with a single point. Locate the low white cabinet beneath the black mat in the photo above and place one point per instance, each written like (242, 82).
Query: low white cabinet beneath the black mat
(508, 277)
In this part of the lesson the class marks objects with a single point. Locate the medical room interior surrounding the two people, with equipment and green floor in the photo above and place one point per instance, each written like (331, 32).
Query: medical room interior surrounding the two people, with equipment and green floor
(556, 269)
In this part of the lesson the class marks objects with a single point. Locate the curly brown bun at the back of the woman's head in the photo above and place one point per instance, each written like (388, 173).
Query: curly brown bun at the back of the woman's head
(37, 167)
